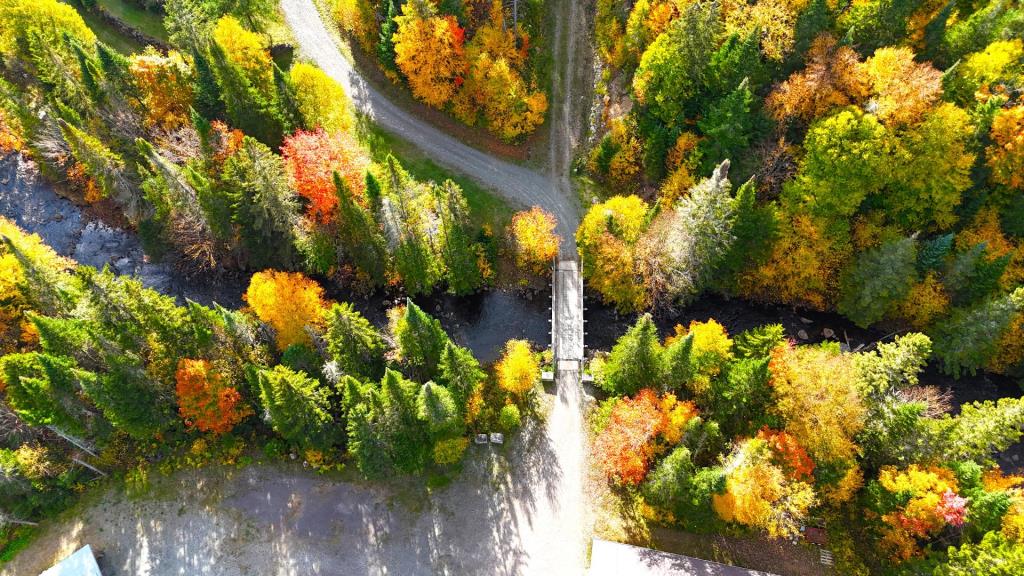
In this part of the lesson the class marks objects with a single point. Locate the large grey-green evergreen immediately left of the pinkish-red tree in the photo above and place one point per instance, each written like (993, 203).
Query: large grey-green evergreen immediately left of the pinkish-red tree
(264, 207)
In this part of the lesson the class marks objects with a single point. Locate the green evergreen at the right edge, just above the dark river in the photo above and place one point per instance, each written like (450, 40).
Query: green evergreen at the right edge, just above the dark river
(968, 340)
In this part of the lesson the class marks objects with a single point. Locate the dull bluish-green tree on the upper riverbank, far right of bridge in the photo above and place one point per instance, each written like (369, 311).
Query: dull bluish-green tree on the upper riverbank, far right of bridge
(880, 278)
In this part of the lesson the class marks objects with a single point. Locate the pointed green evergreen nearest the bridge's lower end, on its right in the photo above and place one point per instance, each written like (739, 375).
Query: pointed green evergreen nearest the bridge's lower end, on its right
(636, 361)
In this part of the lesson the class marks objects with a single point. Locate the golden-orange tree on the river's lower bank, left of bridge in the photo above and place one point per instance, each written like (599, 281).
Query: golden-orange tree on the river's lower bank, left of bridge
(288, 302)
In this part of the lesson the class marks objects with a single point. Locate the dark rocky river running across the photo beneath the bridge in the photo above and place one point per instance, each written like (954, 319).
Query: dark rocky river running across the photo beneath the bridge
(482, 322)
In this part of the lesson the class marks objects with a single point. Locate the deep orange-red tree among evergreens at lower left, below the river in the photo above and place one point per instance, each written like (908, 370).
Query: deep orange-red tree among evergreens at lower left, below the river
(205, 401)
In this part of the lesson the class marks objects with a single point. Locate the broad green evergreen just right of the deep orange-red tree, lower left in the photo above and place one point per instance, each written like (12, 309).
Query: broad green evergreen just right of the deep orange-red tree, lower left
(297, 406)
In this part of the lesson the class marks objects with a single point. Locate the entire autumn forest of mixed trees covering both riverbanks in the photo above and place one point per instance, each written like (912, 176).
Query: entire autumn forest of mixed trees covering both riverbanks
(863, 159)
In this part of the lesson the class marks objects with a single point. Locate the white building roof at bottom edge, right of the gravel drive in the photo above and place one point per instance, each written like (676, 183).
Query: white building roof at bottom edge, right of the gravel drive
(613, 559)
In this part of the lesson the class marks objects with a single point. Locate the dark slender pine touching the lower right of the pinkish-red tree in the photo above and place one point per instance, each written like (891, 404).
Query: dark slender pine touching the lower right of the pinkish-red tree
(359, 235)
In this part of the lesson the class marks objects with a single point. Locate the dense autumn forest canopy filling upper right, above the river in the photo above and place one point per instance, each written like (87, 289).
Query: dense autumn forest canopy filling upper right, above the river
(874, 163)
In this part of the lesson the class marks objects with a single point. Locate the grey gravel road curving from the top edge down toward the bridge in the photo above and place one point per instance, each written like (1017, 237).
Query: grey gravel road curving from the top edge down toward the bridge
(519, 185)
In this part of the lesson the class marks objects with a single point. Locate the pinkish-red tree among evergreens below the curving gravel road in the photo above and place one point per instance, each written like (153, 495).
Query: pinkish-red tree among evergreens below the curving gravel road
(313, 158)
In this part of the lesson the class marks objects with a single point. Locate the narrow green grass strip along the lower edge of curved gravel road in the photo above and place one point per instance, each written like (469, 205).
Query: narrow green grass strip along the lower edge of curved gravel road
(485, 208)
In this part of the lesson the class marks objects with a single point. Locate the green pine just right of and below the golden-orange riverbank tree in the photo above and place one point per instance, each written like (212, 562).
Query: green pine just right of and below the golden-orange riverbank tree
(354, 344)
